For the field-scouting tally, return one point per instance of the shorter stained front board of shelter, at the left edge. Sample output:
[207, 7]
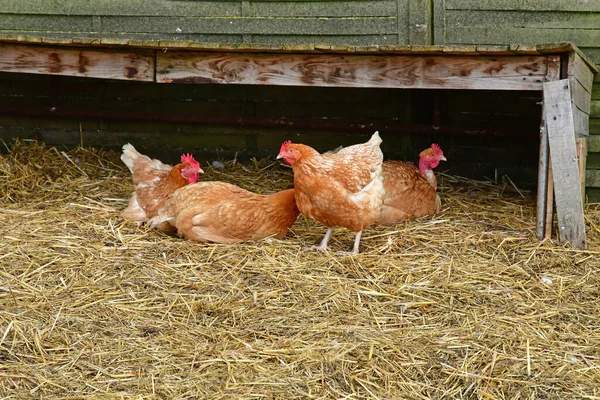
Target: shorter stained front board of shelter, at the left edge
[137, 66]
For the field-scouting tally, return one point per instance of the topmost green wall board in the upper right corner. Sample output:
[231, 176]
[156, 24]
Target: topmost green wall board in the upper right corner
[525, 5]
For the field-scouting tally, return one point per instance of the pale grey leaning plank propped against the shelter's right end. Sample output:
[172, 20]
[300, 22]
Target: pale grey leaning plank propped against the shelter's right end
[561, 135]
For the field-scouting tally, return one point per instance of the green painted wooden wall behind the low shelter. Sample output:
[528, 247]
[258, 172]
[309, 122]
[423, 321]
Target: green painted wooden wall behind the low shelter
[354, 22]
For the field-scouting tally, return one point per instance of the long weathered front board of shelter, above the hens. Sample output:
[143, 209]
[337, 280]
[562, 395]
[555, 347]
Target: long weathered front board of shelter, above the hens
[440, 72]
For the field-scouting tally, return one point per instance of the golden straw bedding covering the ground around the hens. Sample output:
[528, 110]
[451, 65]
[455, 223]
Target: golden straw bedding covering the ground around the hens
[465, 305]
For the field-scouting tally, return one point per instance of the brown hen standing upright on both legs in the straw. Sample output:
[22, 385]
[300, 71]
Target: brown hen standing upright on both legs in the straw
[343, 189]
